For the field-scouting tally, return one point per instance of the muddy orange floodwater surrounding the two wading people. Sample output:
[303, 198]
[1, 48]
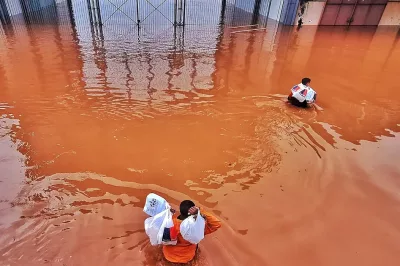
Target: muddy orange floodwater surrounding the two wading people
[91, 123]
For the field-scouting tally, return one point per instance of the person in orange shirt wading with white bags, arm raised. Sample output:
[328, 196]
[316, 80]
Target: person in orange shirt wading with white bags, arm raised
[184, 251]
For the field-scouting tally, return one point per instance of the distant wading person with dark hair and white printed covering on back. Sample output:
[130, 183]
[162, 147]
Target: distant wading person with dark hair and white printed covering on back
[301, 95]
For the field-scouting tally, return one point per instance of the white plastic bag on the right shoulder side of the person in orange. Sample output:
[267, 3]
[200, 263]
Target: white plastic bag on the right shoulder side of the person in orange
[192, 228]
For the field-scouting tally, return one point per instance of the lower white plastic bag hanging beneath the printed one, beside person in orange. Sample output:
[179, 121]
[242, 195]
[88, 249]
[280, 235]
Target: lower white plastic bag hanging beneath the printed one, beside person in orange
[155, 226]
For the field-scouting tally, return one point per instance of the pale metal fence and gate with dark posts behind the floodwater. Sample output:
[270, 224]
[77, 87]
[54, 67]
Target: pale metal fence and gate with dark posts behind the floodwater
[136, 12]
